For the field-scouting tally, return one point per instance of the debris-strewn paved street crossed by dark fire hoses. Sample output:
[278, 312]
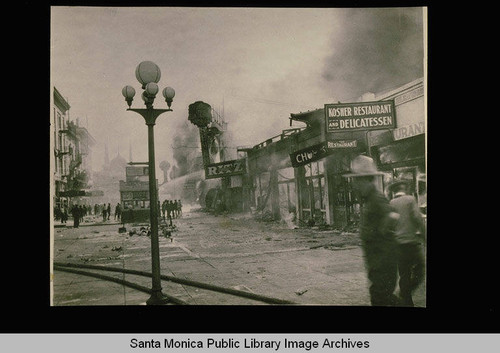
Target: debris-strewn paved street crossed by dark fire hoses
[305, 266]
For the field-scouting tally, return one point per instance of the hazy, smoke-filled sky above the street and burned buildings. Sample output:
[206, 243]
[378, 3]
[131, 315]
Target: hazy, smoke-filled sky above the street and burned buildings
[256, 65]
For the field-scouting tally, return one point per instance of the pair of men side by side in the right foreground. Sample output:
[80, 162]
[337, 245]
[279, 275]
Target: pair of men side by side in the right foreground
[392, 234]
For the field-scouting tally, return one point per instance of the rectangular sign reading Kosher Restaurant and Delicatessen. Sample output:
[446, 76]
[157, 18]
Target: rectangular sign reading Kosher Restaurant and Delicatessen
[360, 116]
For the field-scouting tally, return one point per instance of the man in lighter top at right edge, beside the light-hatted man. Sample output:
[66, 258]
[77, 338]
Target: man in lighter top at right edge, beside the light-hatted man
[410, 235]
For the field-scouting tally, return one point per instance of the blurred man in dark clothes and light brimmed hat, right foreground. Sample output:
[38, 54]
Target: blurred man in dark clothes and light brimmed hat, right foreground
[376, 229]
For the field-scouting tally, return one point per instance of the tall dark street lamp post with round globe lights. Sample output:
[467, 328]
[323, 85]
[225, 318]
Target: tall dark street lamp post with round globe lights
[148, 74]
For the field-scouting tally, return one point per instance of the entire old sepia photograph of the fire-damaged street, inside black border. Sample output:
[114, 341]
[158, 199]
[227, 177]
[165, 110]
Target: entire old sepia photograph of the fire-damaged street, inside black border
[238, 156]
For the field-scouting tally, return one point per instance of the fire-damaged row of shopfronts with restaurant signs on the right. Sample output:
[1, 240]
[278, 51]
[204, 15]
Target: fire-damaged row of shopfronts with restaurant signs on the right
[297, 176]
